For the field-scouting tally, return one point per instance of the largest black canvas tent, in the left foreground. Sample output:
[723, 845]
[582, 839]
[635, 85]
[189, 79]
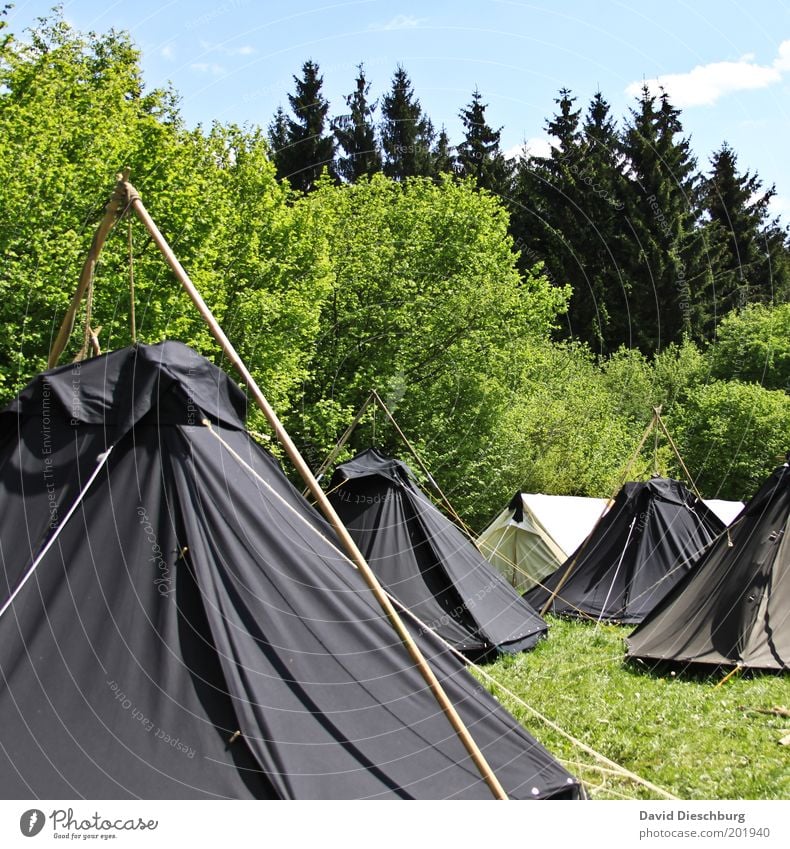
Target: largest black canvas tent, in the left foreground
[179, 623]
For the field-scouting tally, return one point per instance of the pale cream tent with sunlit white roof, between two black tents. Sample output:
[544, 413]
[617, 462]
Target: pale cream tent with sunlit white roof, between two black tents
[536, 533]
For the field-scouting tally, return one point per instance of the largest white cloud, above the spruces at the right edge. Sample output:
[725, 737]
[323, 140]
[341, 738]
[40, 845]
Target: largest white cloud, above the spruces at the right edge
[705, 84]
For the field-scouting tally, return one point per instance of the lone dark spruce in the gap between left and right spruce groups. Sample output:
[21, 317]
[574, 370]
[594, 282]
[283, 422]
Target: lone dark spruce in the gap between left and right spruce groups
[479, 155]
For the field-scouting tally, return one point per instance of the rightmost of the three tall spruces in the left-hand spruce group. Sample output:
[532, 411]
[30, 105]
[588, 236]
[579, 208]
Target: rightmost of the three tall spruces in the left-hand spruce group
[406, 133]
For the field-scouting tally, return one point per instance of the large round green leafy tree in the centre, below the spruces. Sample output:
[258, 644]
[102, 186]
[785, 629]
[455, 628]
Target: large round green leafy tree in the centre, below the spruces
[426, 304]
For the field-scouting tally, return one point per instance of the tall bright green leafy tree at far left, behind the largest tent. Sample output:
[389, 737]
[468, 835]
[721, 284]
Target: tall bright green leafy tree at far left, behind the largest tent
[63, 96]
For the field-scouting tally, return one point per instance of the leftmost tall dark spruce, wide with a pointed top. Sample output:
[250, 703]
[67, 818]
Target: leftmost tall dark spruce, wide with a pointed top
[307, 150]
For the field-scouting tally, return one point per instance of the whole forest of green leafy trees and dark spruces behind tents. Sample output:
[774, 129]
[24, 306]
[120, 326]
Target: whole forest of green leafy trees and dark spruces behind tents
[521, 317]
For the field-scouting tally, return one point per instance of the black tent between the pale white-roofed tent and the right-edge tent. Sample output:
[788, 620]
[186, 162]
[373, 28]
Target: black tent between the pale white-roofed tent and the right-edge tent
[649, 539]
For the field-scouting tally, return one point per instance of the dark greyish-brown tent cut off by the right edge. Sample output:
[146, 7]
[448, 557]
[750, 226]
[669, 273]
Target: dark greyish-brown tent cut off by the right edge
[734, 609]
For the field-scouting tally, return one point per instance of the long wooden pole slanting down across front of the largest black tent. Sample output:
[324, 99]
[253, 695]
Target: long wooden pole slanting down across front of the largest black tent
[323, 502]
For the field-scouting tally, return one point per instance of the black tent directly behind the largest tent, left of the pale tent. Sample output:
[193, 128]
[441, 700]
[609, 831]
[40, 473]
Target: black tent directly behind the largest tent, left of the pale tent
[426, 562]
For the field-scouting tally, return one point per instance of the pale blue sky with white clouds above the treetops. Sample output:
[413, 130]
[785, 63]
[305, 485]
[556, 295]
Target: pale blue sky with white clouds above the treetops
[726, 64]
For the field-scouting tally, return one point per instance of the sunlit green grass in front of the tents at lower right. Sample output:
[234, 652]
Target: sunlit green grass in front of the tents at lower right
[680, 732]
